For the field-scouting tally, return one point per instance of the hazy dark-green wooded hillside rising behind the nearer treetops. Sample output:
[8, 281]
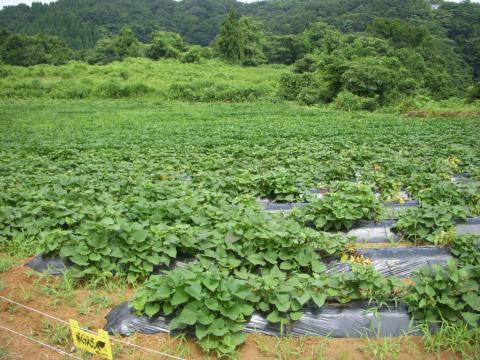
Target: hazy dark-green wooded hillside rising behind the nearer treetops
[82, 23]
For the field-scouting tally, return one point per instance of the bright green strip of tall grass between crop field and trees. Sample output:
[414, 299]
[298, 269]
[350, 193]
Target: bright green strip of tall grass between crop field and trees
[141, 78]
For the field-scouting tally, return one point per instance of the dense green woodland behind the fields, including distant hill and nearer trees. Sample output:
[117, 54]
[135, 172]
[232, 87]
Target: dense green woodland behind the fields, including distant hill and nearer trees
[361, 54]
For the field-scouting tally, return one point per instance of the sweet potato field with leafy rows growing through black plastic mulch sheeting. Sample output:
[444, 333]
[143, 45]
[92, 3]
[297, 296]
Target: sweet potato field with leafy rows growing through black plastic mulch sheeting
[228, 219]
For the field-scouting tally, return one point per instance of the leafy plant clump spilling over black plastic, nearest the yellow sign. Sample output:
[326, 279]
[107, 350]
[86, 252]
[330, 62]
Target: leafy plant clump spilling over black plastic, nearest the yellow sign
[211, 302]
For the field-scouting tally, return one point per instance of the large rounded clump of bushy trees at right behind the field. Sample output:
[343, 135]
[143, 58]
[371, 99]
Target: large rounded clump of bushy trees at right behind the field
[365, 72]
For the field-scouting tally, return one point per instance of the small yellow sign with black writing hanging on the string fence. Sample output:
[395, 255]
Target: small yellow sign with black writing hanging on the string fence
[92, 343]
